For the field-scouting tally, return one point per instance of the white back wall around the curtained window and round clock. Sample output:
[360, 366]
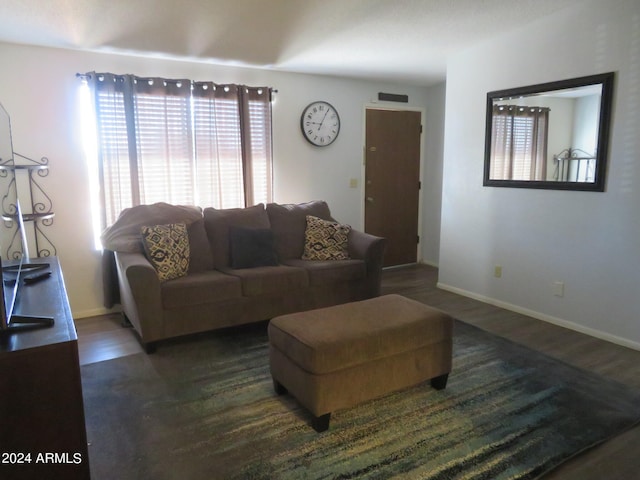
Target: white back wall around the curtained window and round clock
[38, 88]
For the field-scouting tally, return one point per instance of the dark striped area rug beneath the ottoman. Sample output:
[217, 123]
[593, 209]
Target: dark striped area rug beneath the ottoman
[204, 408]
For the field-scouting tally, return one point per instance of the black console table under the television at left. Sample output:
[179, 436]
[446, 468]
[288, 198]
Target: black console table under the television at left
[42, 427]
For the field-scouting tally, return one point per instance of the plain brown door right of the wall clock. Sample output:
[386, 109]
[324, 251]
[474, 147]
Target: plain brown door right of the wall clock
[392, 181]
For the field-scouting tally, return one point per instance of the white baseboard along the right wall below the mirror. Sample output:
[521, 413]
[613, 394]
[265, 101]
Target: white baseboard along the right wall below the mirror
[544, 317]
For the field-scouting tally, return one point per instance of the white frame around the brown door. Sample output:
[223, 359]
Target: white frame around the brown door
[363, 165]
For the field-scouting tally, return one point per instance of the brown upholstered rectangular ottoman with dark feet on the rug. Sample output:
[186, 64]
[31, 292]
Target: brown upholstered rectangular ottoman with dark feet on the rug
[340, 356]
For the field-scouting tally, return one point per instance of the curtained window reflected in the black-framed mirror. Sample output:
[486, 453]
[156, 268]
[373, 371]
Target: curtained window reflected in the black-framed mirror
[519, 148]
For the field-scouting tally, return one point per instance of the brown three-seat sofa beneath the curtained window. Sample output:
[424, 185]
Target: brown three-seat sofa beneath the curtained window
[213, 294]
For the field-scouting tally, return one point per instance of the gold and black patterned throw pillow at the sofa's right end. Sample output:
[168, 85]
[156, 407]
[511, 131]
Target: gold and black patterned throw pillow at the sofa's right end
[325, 240]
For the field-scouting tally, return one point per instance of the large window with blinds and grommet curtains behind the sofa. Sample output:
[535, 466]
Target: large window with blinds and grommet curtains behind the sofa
[180, 142]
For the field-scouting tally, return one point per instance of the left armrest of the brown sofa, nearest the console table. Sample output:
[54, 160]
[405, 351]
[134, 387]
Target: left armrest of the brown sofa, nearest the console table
[140, 295]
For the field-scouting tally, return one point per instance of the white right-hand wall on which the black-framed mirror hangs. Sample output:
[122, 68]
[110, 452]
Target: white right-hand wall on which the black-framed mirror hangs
[591, 242]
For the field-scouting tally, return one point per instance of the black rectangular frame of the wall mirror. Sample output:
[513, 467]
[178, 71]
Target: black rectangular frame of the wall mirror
[606, 106]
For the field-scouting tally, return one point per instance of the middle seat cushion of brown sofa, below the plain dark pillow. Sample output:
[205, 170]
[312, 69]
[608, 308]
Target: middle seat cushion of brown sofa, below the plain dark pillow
[270, 280]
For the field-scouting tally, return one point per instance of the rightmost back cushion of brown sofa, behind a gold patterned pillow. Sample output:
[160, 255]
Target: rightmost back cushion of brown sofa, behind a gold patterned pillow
[289, 222]
